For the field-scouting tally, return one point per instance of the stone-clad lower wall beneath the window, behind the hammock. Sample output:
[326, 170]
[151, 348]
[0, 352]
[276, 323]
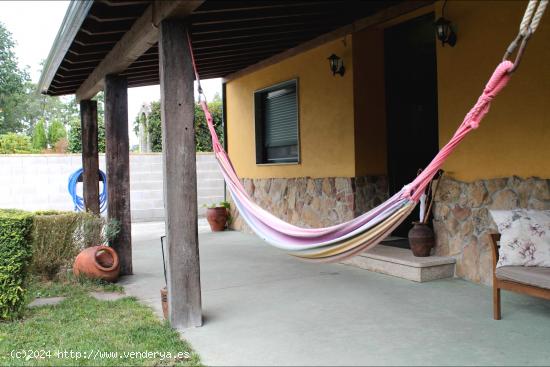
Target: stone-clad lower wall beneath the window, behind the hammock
[314, 202]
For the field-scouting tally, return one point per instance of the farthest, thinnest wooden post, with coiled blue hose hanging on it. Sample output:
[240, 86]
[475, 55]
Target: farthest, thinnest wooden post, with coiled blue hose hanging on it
[90, 159]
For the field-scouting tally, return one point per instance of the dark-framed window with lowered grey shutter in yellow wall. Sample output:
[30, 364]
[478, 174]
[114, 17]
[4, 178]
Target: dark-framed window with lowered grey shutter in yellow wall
[276, 110]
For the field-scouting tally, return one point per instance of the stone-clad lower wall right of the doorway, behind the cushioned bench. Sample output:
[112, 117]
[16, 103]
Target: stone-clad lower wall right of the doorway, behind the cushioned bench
[462, 220]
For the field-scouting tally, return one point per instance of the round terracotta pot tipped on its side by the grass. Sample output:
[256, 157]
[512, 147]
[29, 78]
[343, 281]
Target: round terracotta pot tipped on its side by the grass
[97, 262]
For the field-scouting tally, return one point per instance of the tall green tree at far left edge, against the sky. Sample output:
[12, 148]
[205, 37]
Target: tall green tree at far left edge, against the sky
[13, 86]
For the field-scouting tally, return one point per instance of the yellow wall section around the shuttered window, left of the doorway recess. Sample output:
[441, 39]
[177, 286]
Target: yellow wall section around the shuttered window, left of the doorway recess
[326, 115]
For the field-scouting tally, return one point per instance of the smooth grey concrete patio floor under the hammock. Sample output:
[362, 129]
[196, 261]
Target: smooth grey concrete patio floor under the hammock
[263, 307]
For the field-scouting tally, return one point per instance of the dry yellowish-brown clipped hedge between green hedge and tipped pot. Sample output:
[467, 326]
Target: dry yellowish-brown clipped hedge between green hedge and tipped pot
[54, 244]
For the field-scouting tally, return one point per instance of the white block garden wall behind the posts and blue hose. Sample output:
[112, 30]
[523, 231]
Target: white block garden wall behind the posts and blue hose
[39, 182]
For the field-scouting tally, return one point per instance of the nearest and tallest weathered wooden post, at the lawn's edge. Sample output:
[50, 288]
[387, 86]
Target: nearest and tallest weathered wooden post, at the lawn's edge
[180, 175]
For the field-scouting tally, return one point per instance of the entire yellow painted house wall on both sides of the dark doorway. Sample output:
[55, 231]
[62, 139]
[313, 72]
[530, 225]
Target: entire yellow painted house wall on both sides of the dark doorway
[342, 120]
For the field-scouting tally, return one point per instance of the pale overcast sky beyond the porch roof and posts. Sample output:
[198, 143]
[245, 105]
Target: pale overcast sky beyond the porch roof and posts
[34, 25]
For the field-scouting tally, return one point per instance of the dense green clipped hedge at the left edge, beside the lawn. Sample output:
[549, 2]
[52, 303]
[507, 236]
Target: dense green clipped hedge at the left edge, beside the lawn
[15, 253]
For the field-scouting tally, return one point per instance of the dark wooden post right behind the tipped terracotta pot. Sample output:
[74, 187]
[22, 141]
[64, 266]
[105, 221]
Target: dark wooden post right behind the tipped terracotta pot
[117, 157]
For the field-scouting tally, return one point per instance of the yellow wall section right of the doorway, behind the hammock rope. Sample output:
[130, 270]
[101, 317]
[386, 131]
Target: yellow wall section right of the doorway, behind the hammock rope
[514, 138]
